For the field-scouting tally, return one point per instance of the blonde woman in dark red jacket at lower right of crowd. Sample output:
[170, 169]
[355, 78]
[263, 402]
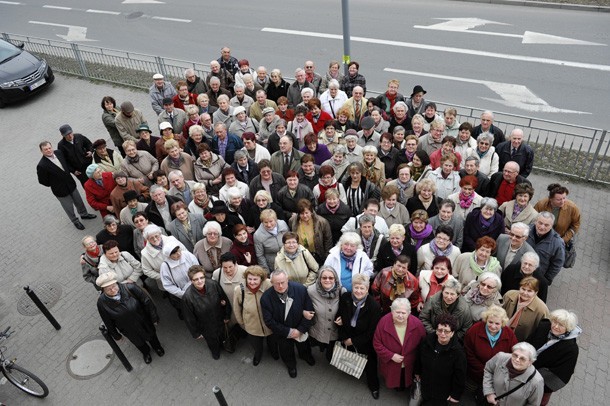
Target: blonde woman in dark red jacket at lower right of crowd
[483, 340]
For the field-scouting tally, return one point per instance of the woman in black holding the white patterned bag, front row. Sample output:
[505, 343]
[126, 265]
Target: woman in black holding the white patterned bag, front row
[357, 318]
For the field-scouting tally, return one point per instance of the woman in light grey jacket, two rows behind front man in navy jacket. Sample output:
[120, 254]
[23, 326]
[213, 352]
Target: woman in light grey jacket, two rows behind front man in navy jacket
[268, 238]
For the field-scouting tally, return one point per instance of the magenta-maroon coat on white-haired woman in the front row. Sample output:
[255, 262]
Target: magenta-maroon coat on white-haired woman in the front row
[387, 343]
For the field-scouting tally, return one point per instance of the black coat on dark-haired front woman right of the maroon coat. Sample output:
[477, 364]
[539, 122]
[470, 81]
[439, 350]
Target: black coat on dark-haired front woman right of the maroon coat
[442, 371]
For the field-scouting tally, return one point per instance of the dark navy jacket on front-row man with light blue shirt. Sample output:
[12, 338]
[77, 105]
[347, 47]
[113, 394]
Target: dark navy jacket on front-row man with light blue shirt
[274, 309]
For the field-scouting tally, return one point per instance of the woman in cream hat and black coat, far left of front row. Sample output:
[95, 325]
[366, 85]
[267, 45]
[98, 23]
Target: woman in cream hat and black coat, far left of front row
[127, 310]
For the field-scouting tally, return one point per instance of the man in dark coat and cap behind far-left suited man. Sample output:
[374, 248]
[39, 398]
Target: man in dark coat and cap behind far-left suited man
[78, 150]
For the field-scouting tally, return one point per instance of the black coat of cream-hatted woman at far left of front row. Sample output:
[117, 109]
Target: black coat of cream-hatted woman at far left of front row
[133, 315]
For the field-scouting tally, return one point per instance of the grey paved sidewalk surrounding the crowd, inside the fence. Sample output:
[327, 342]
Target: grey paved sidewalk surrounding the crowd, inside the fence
[39, 244]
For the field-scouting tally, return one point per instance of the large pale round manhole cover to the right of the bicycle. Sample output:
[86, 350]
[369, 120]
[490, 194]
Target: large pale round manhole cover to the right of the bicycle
[89, 358]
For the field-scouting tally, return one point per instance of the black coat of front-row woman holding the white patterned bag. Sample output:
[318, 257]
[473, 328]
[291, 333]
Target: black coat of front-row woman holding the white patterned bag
[362, 334]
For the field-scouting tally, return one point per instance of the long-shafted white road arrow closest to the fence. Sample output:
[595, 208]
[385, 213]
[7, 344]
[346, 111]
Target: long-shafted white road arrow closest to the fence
[512, 95]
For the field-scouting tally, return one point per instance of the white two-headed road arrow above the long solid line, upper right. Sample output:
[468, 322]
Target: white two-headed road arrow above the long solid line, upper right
[528, 37]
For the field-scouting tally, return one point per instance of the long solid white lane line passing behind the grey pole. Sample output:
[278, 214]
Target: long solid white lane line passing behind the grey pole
[461, 51]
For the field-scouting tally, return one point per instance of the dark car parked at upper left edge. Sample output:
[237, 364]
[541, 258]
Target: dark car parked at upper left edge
[21, 73]
